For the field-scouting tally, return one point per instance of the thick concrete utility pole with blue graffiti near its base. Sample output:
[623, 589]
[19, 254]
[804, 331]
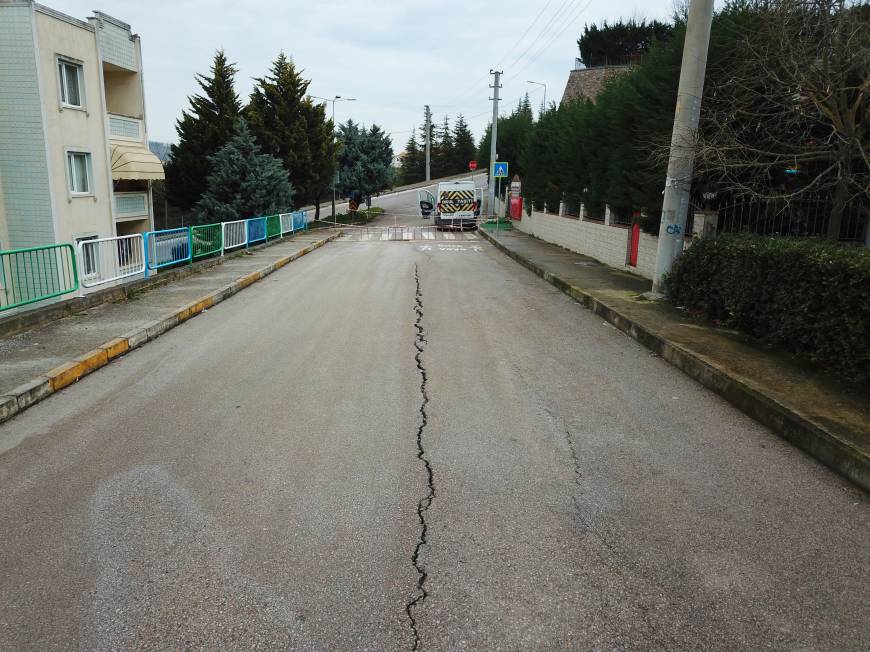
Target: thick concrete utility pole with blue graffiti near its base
[675, 205]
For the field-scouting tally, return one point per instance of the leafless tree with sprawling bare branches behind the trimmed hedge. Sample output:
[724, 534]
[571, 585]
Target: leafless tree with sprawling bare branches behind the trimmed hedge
[786, 110]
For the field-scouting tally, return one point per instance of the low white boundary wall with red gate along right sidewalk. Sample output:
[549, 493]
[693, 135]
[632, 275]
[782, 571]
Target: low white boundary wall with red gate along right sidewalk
[605, 243]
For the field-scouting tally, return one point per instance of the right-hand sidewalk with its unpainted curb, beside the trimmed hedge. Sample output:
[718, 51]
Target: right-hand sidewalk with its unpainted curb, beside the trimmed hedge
[814, 412]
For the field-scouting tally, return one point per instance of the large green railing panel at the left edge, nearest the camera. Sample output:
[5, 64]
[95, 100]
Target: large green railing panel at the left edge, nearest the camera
[36, 274]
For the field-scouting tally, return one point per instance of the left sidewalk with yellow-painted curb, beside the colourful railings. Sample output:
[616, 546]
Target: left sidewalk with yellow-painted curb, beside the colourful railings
[41, 360]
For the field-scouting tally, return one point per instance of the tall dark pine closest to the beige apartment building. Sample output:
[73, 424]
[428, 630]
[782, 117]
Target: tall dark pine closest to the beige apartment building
[202, 131]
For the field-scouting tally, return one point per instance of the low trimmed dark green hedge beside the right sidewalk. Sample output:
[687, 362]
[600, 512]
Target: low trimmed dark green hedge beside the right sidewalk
[809, 297]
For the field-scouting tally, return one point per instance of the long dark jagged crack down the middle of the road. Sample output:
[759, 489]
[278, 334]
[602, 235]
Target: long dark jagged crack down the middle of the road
[426, 501]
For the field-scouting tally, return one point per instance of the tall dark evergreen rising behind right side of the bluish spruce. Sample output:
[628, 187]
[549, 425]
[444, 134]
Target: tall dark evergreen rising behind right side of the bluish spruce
[277, 116]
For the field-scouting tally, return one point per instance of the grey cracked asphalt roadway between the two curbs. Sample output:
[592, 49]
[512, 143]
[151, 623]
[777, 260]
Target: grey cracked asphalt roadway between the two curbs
[390, 444]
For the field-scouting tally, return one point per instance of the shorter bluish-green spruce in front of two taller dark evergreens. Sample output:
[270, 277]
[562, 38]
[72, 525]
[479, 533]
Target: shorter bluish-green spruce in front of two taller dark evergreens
[244, 182]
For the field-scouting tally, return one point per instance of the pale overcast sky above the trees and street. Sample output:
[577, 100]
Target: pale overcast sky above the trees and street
[394, 57]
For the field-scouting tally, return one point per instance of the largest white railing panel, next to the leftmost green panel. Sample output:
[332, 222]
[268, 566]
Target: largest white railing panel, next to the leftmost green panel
[104, 260]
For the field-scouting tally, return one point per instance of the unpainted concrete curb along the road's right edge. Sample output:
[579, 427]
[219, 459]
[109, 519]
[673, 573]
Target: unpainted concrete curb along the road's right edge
[835, 451]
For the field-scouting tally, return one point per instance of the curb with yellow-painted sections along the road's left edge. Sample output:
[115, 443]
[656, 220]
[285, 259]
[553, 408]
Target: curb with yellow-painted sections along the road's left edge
[30, 393]
